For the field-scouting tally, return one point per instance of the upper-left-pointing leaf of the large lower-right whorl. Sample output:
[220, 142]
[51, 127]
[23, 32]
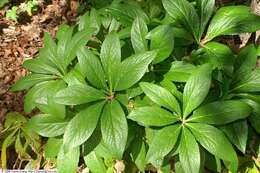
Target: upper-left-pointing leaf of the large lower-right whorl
[161, 96]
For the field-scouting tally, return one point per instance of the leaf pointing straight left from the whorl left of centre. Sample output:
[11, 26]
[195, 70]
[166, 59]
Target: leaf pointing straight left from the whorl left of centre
[78, 94]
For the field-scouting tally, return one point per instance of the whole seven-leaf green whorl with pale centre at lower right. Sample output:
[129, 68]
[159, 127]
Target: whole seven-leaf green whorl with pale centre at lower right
[192, 125]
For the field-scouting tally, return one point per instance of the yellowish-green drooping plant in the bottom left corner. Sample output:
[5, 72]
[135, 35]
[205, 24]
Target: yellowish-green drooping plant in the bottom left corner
[27, 144]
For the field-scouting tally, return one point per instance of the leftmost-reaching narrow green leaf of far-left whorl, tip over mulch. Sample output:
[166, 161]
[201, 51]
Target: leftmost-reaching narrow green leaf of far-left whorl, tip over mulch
[30, 80]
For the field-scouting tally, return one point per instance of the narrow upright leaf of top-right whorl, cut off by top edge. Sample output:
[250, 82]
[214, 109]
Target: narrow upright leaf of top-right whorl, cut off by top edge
[205, 9]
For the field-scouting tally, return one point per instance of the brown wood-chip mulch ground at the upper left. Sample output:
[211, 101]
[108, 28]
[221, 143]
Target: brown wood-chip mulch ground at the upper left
[21, 40]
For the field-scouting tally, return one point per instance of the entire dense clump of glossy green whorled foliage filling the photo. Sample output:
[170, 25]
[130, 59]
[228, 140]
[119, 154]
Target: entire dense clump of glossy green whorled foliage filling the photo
[153, 88]
